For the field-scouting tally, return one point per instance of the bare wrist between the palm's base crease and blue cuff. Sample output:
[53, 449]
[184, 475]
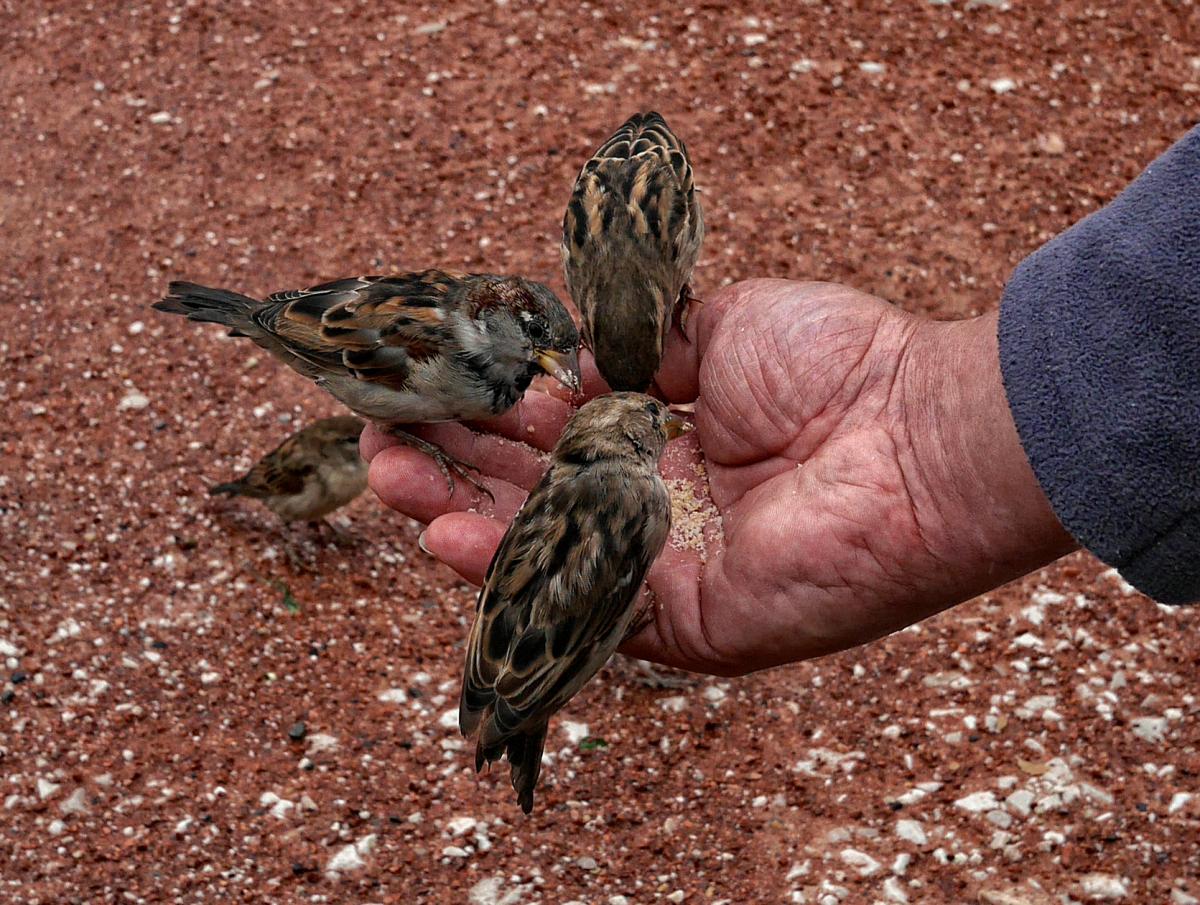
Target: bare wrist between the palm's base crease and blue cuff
[976, 500]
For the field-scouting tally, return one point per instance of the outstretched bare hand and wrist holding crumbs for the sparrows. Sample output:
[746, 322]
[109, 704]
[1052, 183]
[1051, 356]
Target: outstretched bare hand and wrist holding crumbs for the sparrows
[863, 474]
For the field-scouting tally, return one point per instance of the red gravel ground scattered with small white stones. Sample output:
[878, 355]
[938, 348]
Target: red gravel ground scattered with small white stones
[1037, 746]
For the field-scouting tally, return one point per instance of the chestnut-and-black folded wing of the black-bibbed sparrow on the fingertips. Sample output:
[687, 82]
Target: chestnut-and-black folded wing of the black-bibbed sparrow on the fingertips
[371, 328]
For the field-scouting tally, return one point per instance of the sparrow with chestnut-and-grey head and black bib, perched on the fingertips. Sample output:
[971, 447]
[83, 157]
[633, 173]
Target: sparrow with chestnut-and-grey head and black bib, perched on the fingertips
[411, 349]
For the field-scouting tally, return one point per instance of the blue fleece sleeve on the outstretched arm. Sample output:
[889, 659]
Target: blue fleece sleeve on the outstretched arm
[1100, 346]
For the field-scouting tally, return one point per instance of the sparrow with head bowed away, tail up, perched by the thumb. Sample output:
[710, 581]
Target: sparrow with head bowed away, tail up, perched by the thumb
[632, 236]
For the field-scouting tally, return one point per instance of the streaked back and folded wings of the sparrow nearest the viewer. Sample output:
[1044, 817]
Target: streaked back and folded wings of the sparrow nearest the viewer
[559, 594]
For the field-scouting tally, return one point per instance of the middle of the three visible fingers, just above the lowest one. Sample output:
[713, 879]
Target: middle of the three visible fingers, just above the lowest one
[411, 483]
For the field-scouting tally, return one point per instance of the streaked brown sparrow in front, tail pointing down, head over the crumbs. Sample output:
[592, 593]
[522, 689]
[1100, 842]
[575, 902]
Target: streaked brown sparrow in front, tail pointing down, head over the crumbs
[561, 591]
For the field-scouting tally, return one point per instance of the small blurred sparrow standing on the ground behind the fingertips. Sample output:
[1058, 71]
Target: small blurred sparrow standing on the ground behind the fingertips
[309, 476]
